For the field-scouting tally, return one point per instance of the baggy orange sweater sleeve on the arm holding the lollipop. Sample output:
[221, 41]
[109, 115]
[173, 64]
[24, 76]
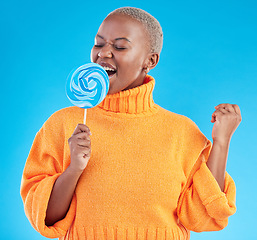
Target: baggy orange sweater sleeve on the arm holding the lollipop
[44, 165]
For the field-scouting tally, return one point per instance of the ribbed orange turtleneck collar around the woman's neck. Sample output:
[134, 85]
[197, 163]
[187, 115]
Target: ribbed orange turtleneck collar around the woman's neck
[133, 101]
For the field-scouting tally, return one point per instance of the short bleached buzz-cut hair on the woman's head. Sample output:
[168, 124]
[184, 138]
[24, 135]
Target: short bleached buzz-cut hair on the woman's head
[150, 23]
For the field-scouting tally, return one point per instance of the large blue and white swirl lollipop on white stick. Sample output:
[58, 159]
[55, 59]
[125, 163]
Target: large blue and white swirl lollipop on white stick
[87, 86]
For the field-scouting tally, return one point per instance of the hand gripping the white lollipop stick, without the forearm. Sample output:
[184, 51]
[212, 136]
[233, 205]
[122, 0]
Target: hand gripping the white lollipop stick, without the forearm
[80, 147]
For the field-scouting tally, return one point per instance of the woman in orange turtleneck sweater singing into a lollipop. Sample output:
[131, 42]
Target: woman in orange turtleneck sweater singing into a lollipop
[144, 172]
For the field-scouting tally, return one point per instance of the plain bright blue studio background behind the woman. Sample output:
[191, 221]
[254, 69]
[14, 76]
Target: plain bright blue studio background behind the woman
[209, 57]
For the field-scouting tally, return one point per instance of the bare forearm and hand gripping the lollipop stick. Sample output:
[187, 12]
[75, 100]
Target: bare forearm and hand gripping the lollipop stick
[65, 185]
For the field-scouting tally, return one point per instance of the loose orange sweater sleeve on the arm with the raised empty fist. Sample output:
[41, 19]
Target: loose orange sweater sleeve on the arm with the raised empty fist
[202, 205]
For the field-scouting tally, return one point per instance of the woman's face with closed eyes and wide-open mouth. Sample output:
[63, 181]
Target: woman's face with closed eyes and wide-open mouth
[121, 48]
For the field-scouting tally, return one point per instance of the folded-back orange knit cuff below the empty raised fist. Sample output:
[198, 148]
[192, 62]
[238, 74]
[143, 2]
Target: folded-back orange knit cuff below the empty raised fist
[219, 205]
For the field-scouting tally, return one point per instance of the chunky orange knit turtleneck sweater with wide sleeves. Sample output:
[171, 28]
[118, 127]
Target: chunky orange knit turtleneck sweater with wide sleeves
[146, 179]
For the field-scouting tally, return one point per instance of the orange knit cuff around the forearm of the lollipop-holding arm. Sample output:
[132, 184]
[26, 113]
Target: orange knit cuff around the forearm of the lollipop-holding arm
[38, 206]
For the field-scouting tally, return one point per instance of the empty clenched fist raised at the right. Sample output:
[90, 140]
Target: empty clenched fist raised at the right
[226, 119]
